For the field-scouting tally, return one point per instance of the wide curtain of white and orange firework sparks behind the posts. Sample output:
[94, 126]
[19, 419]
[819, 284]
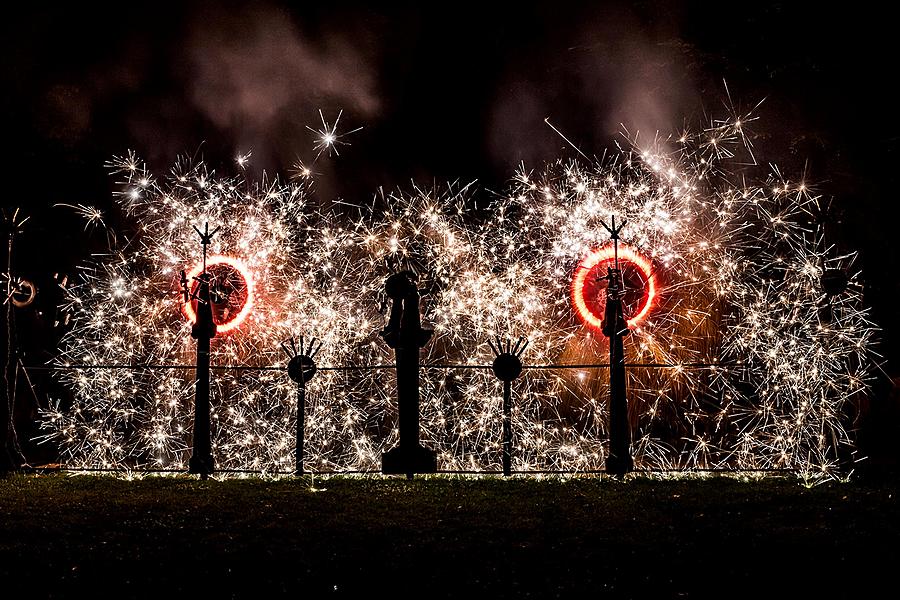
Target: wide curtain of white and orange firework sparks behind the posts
[749, 342]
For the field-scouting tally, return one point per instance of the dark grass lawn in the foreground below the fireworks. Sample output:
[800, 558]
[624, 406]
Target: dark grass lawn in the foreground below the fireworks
[444, 536]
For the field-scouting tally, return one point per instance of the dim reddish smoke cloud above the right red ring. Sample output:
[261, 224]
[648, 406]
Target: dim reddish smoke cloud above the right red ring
[613, 72]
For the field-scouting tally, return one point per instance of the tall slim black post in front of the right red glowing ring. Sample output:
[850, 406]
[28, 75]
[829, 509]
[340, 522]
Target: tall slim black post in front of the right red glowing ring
[615, 327]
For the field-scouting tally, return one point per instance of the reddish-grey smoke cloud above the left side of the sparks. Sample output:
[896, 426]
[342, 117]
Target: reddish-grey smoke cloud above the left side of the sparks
[254, 72]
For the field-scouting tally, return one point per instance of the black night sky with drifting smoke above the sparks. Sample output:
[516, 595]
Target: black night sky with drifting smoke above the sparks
[454, 92]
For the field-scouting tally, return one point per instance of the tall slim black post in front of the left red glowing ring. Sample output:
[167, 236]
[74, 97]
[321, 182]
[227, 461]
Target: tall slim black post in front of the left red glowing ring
[203, 330]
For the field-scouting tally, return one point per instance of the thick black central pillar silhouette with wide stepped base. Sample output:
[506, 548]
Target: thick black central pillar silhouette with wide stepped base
[405, 334]
